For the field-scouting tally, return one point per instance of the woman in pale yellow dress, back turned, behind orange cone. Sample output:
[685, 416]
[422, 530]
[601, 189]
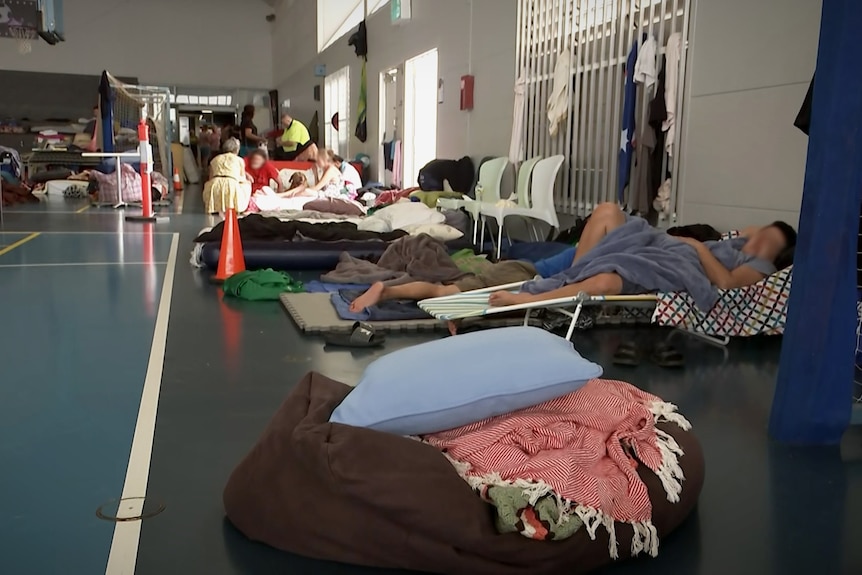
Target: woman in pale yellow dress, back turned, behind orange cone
[229, 187]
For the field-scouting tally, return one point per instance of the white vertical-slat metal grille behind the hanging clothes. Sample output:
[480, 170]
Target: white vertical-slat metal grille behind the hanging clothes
[598, 36]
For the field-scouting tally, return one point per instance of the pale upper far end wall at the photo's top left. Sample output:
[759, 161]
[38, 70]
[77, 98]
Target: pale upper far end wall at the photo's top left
[165, 42]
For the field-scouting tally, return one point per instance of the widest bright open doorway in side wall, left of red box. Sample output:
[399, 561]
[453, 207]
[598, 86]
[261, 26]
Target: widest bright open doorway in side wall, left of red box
[420, 114]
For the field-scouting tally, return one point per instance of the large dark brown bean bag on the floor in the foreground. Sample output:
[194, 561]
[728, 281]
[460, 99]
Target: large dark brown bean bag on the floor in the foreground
[358, 496]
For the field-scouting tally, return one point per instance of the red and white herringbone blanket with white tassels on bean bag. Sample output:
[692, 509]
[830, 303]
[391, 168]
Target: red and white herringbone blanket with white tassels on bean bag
[583, 447]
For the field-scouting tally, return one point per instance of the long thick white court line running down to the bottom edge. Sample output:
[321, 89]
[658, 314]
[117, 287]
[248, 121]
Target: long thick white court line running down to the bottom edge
[124, 546]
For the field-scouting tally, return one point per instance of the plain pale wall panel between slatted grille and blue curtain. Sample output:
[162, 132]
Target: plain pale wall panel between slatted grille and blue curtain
[743, 162]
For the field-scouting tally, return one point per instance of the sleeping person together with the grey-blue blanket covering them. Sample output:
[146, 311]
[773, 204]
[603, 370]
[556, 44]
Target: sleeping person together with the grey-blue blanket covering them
[620, 254]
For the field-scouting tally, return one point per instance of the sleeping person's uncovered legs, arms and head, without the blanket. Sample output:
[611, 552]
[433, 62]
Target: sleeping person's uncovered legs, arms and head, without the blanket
[726, 264]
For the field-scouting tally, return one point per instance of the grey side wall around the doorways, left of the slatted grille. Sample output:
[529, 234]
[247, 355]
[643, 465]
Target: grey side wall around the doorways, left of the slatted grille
[442, 24]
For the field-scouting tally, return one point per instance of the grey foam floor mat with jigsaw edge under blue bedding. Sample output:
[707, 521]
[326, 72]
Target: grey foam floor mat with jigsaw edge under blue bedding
[313, 314]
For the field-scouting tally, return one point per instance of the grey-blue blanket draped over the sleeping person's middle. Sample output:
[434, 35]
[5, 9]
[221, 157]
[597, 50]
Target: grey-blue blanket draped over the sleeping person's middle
[641, 255]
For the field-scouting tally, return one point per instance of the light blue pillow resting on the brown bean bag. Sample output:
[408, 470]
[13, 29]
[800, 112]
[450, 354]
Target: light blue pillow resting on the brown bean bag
[458, 380]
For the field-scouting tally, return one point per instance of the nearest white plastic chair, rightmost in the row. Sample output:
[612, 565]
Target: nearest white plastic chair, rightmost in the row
[541, 202]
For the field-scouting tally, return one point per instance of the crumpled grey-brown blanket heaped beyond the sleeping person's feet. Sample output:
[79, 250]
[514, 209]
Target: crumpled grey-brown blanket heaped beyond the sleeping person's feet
[411, 258]
